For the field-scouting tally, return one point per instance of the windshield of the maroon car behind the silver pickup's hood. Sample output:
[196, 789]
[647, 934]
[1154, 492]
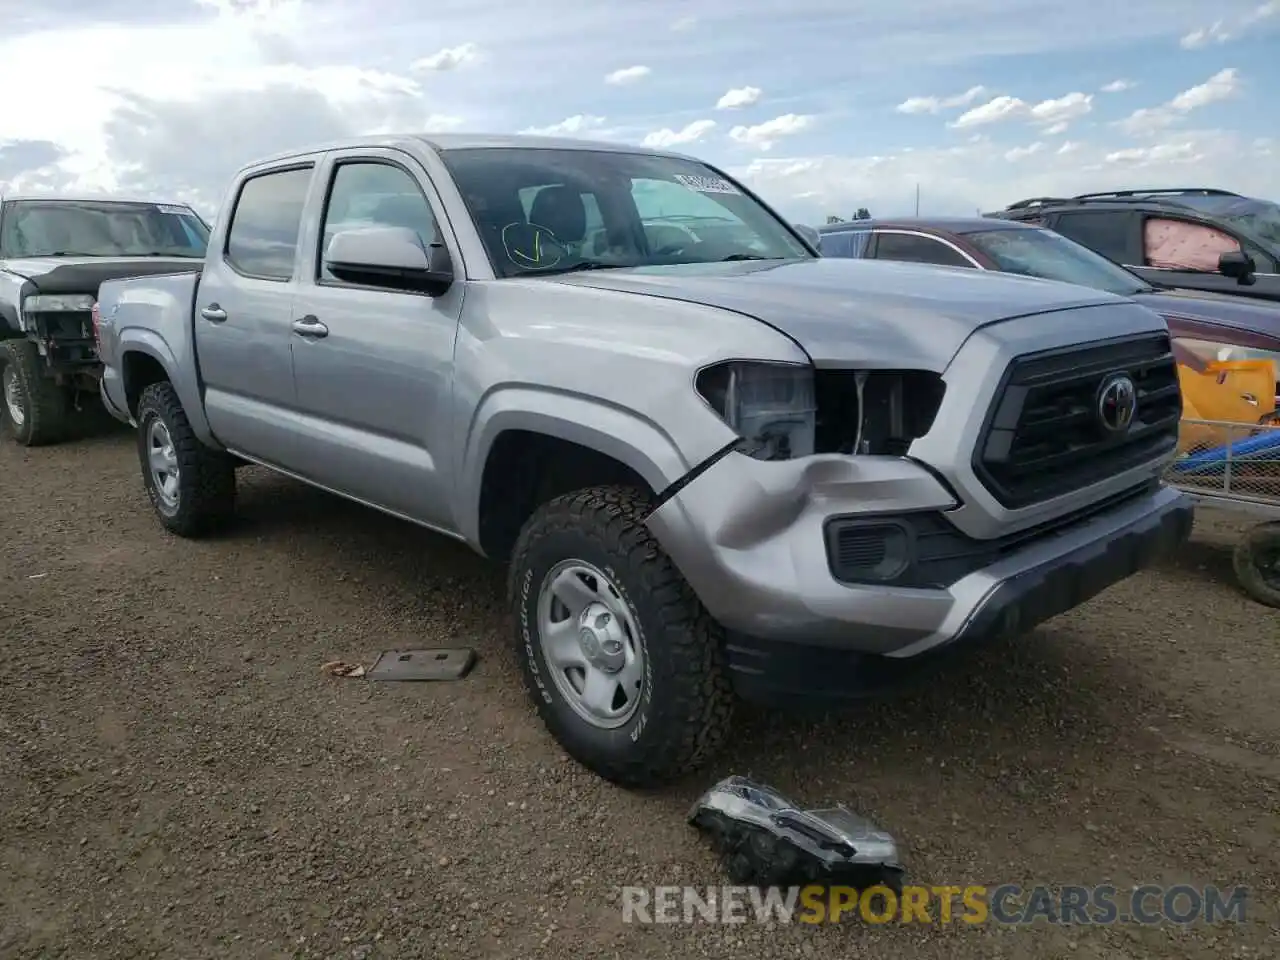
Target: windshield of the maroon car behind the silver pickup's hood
[1052, 257]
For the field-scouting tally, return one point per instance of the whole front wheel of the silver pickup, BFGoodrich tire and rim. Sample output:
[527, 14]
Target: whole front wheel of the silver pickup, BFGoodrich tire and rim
[625, 666]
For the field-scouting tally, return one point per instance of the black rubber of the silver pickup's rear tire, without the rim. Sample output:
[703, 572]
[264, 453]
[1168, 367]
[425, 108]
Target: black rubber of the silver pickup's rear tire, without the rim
[209, 502]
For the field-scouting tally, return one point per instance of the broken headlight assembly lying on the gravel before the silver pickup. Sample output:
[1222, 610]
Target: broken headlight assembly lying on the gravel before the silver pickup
[766, 840]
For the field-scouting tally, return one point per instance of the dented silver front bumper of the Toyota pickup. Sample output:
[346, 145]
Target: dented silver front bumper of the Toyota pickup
[755, 542]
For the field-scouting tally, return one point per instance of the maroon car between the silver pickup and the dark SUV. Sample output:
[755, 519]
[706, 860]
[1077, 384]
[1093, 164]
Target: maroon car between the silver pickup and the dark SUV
[1244, 327]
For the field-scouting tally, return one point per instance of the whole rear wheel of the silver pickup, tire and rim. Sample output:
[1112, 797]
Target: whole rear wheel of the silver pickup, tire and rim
[191, 487]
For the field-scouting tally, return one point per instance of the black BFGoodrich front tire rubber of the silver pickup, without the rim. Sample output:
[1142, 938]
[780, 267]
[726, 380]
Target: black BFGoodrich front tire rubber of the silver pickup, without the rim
[687, 702]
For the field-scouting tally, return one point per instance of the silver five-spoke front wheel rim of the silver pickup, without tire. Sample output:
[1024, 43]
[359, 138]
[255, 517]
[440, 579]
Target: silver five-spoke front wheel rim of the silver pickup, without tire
[591, 643]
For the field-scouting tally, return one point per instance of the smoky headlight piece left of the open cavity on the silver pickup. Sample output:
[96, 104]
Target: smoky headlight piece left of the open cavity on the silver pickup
[771, 406]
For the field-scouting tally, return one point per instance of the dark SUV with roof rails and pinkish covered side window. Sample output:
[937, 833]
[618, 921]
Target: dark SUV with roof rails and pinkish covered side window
[1199, 239]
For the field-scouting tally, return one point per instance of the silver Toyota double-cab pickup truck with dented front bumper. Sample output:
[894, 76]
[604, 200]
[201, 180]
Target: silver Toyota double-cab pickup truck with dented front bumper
[715, 463]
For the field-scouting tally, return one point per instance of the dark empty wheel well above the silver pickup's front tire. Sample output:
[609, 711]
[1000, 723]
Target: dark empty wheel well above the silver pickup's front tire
[525, 470]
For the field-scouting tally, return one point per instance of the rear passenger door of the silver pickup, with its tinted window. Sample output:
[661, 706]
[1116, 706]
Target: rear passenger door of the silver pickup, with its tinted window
[244, 316]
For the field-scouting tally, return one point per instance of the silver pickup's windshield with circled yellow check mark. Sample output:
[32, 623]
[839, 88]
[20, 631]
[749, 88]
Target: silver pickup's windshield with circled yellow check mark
[556, 211]
